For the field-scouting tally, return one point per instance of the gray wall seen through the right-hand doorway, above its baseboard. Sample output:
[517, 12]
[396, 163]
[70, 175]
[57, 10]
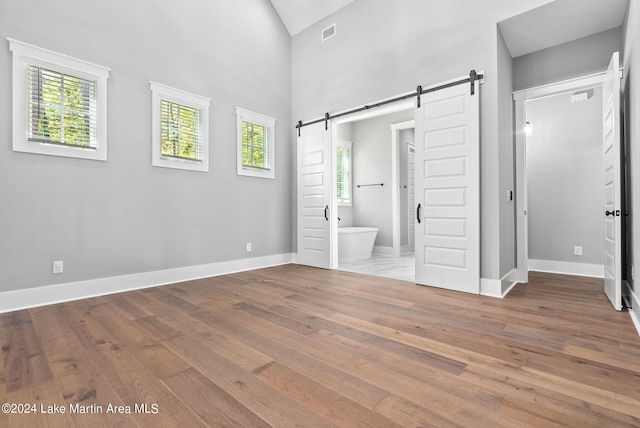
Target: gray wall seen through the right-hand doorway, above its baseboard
[564, 178]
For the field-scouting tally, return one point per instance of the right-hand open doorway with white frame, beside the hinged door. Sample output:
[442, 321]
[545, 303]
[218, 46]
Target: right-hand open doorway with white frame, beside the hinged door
[560, 180]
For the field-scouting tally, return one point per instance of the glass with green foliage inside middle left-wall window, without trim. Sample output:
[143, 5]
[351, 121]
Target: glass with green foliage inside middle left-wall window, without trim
[179, 131]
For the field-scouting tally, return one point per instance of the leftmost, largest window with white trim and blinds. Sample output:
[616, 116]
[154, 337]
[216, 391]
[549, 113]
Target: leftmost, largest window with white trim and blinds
[59, 104]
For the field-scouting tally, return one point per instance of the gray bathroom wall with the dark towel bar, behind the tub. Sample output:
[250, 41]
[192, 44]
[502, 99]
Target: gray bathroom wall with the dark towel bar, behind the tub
[372, 206]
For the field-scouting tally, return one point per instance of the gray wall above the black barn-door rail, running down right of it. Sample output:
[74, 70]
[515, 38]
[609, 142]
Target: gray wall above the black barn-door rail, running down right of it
[385, 48]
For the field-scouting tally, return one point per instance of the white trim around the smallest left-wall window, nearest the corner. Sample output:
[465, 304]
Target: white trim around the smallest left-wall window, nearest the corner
[244, 115]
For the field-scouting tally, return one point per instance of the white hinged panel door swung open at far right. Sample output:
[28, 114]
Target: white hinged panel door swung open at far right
[612, 184]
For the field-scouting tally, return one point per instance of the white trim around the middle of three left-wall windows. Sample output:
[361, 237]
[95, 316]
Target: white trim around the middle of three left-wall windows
[163, 92]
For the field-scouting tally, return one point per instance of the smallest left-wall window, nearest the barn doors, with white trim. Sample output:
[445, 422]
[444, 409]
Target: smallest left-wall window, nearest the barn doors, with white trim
[255, 141]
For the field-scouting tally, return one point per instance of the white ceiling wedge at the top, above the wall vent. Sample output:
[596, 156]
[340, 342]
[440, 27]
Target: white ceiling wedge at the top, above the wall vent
[298, 15]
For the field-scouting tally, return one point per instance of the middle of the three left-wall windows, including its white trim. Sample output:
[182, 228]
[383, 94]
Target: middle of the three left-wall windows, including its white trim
[180, 134]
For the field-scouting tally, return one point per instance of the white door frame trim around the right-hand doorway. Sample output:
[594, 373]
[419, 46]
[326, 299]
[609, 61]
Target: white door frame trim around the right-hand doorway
[520, 100]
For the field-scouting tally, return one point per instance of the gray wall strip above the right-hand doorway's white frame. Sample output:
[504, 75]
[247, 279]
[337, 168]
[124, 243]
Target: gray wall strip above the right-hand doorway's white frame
[578, 58]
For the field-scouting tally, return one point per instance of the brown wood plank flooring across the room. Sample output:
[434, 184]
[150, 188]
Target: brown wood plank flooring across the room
[296, 346]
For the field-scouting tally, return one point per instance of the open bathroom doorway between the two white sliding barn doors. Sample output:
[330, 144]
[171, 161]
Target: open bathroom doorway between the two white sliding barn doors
[379, 193]
